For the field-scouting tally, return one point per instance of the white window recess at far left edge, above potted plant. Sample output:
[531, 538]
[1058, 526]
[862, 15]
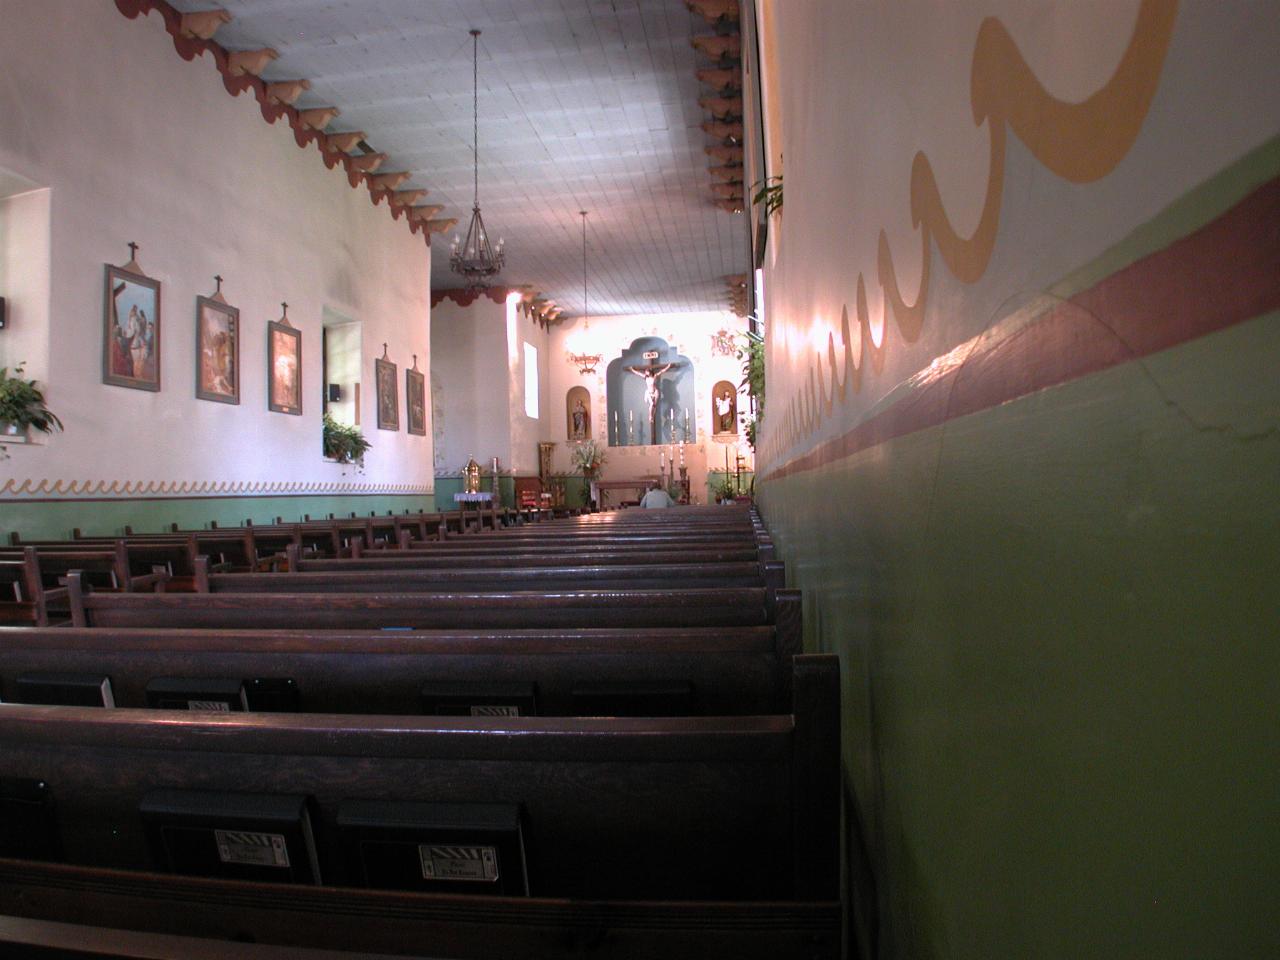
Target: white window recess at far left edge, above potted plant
[25, 282]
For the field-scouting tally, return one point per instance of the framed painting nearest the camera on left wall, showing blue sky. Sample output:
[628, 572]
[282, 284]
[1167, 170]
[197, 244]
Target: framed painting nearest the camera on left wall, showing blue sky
[131, 331]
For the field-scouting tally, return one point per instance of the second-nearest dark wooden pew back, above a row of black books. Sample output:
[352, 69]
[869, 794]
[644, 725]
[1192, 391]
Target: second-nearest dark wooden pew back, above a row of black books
[728, 670]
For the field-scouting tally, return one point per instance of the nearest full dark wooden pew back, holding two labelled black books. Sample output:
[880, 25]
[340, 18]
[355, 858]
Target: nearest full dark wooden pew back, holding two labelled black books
[647, 838]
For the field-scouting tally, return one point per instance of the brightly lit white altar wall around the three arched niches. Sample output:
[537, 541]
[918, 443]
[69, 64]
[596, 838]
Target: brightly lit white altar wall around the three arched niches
[692, 335]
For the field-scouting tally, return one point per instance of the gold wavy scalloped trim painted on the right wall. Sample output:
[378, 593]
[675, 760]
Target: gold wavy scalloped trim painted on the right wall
[1078, 143]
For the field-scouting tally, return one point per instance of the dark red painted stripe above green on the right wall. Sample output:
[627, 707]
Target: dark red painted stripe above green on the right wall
[1223, 275]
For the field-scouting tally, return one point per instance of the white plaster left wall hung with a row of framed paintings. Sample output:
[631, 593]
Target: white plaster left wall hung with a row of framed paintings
[136, 144]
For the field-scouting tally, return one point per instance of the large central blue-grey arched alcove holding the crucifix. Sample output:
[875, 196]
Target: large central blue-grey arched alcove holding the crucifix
[628, 387]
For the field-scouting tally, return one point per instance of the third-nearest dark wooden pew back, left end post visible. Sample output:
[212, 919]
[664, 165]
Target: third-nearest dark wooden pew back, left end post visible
[426, 611]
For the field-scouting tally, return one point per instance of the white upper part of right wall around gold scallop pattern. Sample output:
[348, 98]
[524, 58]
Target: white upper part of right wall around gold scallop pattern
[849, 172]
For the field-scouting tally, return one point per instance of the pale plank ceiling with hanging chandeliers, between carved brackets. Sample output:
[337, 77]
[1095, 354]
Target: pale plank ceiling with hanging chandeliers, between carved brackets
[584, 104]
